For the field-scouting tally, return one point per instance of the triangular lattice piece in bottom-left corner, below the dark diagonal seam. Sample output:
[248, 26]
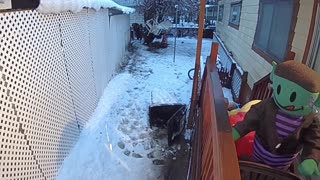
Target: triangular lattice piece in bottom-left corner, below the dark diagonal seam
[16, 159]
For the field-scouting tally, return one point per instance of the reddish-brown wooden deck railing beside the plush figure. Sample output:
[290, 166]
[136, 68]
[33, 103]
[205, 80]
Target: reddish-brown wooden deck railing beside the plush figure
[213, 149]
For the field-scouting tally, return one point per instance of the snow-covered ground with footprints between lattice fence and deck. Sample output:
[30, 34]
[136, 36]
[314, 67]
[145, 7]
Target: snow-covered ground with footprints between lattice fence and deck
[117, 142]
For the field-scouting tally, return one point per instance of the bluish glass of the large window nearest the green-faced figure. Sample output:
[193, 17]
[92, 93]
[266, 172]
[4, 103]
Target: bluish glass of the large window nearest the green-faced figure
[273, 29]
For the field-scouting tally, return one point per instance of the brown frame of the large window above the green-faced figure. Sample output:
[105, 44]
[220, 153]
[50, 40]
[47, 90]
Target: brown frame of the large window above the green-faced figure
[289, 54]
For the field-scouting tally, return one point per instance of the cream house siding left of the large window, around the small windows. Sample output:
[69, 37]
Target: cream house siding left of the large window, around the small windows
[240, 41]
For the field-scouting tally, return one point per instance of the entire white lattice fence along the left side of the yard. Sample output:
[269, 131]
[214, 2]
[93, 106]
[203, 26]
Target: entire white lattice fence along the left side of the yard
[53, 69]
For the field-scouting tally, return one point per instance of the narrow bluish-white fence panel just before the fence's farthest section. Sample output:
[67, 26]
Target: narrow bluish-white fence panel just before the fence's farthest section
[98, 30]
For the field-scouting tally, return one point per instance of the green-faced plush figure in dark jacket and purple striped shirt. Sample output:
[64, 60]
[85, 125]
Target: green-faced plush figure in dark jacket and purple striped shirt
[288, 123]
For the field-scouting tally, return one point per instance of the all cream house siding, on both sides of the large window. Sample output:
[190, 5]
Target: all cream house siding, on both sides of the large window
[240, 41]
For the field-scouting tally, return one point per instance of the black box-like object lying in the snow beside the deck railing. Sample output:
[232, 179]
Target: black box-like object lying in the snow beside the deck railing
[170, 116]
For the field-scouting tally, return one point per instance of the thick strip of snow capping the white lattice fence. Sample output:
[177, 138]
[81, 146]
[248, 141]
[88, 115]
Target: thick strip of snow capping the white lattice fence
[58, 6]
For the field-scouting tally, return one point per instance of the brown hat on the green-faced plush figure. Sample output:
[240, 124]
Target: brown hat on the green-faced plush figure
[300, 74]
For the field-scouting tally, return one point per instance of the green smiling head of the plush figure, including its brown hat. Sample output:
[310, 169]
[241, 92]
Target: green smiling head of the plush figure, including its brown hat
[295, 93]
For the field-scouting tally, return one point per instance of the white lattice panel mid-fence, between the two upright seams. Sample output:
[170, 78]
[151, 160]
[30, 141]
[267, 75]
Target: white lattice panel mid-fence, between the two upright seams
[76, 45]
